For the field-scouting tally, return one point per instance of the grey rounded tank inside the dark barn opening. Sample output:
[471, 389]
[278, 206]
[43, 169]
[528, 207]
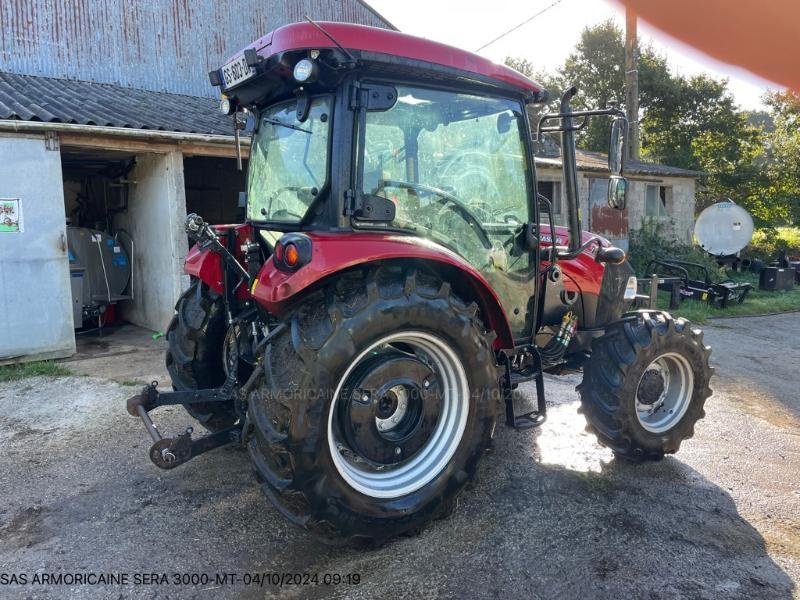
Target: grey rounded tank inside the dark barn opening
[100, 270]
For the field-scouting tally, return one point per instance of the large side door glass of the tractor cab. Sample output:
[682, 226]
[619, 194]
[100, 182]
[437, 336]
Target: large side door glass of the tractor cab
[454, 166]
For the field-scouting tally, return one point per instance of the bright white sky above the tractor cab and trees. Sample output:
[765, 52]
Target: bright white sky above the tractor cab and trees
[549, 38]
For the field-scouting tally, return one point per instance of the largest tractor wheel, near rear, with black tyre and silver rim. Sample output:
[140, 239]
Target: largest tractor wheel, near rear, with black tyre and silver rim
[379, 398]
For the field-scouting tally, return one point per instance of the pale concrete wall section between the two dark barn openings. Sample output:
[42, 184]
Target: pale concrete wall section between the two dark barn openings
[156, 210]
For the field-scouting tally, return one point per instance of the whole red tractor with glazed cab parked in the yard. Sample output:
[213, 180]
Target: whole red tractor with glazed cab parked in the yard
[397, 276]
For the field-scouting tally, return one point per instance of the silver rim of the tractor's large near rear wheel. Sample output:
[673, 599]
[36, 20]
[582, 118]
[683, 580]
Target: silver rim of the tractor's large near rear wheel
[428, 461]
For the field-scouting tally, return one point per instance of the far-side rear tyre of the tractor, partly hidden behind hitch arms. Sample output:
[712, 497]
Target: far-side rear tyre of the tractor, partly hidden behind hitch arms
[194, 357]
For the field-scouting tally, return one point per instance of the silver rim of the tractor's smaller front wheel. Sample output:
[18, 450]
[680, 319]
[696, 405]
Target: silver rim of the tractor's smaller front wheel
[664, 392]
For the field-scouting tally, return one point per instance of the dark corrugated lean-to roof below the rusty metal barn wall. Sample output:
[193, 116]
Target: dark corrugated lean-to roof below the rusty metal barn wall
[31, 98]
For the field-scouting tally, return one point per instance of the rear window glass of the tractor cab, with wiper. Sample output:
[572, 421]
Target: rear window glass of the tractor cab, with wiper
[288, 161]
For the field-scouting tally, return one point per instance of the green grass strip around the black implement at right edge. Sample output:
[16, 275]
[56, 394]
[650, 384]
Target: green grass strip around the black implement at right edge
[758, 302]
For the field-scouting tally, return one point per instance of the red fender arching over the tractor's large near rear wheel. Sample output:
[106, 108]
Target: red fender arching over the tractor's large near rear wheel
[332, 253]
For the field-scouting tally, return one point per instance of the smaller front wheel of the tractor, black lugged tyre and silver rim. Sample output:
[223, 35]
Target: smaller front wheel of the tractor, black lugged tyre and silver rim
[645, 385]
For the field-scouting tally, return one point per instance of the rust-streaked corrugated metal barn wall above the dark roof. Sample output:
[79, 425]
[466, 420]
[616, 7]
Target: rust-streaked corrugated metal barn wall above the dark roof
[159, 45]
